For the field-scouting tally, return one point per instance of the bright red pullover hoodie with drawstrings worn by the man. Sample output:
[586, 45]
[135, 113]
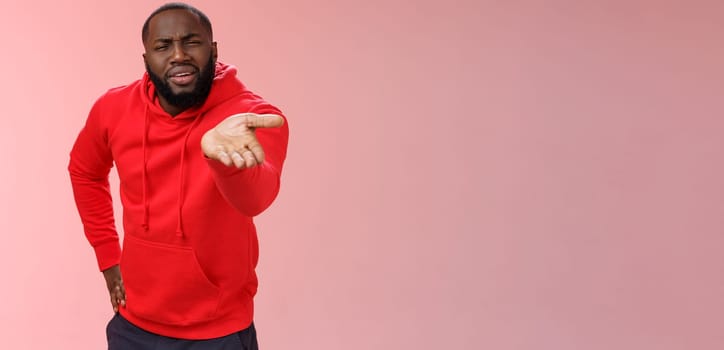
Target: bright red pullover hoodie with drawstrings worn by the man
[190, 245]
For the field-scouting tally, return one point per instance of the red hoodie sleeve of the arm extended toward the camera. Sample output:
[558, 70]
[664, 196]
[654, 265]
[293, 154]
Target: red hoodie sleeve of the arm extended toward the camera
[252, 190]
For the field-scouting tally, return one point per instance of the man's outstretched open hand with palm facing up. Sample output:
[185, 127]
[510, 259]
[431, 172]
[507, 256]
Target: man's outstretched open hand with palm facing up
[234, 142]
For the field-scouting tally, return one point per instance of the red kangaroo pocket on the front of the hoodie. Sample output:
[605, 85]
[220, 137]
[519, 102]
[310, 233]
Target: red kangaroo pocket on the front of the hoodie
[165, 284]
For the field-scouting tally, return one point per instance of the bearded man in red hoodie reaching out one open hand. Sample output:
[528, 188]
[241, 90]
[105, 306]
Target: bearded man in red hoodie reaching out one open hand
[198, 156]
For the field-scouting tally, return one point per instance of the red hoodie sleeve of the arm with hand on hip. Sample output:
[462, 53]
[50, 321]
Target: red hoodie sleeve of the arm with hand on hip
[90, 163]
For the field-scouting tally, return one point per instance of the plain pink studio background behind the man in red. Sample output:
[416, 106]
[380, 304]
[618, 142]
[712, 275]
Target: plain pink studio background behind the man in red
[461, 174]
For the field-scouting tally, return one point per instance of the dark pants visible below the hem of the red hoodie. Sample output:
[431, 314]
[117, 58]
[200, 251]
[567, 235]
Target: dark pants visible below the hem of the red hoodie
[122, 335]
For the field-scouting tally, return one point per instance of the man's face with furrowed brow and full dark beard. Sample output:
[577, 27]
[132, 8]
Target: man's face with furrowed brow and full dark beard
[180, 58]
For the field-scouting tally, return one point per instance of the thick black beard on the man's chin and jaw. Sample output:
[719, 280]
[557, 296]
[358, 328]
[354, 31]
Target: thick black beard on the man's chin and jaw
[186, 100]
